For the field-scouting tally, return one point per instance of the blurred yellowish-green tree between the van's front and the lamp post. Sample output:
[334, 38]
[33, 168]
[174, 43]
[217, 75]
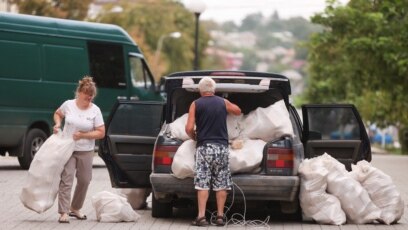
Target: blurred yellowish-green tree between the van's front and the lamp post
[148, 20]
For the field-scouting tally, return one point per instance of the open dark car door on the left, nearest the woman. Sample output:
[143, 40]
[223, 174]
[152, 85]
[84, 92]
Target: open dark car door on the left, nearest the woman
[127, 148]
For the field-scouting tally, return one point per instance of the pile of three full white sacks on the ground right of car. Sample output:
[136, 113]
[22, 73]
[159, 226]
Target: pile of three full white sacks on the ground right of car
[329, 194]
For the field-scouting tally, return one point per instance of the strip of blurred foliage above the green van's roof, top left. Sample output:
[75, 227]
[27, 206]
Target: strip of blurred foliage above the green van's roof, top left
[68, 9]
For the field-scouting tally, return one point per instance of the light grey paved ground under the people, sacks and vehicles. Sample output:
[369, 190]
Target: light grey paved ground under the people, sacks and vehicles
[15, 216]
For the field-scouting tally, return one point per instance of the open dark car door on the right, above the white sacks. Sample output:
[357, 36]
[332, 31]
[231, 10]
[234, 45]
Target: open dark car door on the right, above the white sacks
[337, 130]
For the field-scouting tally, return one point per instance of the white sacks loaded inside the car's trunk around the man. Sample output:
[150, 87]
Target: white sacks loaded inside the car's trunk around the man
[247, 134]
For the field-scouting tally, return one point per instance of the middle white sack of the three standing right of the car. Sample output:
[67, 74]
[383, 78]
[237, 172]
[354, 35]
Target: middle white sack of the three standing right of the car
[354, 199]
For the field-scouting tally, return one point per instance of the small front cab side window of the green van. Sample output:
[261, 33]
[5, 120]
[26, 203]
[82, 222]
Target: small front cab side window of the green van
[140, 76]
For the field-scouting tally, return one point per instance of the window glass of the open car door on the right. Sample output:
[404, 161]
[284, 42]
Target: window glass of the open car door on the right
[333, 124]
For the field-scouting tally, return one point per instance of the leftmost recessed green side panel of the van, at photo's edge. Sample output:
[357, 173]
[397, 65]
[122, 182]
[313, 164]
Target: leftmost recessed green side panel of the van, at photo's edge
[23, 58]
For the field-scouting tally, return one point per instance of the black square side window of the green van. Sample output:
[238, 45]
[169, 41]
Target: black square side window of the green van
[107, 64]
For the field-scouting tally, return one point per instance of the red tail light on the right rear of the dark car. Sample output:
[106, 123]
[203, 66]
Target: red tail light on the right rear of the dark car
[279, 159]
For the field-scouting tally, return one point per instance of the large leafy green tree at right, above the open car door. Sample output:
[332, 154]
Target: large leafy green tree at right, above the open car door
[361, 57]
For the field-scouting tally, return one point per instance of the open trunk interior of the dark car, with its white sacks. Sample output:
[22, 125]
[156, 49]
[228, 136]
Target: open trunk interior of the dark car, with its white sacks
[248, 133]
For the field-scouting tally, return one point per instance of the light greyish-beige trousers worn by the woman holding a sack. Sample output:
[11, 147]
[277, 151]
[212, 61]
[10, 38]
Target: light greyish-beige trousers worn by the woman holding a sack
[81, 163]
